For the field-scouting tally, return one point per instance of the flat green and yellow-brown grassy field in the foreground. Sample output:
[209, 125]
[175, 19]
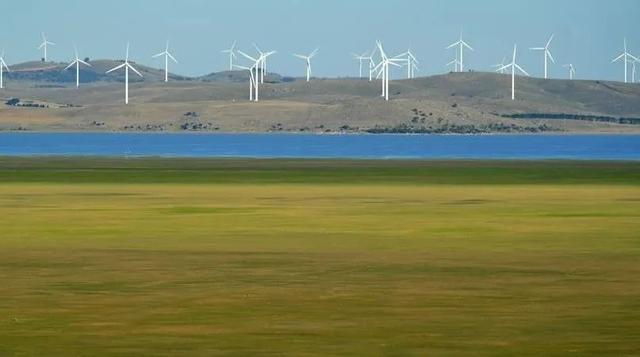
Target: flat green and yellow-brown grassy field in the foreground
[235, 257]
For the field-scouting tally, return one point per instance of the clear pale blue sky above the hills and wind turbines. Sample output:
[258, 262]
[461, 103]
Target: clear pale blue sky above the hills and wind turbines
[588, 33]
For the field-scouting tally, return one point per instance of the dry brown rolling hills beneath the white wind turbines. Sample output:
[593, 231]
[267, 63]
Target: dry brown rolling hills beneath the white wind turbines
[471, 102]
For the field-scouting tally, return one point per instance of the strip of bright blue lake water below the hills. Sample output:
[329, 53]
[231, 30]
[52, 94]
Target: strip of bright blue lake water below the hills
[580, 147]
